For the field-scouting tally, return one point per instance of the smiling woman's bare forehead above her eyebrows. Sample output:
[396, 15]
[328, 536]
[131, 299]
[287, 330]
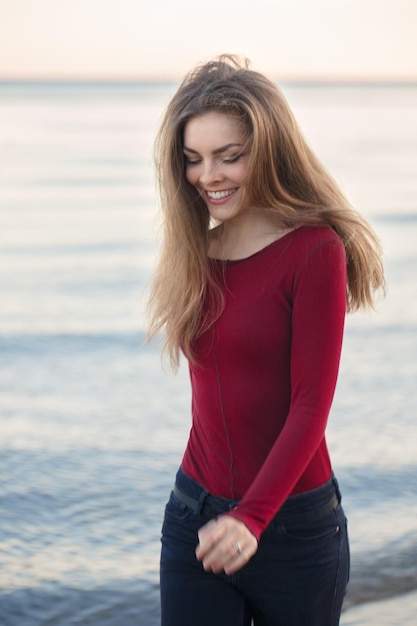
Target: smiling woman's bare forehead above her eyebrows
[213, 126]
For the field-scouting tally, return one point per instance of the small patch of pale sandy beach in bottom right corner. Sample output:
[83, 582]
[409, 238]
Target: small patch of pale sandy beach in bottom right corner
[391, 612]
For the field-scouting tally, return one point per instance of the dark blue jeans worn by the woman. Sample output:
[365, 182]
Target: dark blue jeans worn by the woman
[298, 576]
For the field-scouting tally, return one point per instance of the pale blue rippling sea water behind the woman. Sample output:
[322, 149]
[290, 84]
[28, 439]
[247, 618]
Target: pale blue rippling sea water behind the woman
[92, 429]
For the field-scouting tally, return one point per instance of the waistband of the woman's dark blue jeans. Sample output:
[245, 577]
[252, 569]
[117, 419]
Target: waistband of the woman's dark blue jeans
[308, 506]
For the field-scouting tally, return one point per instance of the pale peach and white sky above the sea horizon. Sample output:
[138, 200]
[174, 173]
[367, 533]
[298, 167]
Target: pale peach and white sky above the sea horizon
[162, 39]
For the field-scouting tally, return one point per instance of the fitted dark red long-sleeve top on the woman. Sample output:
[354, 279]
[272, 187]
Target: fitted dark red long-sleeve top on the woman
[266, 375]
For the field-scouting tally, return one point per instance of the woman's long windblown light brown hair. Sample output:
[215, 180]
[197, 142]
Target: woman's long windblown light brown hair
[284, 176]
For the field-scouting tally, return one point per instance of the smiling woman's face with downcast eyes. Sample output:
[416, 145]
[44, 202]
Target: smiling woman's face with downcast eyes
[217, 159]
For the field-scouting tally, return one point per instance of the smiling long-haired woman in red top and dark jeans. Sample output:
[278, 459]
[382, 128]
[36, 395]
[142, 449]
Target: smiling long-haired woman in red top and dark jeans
[262, 256]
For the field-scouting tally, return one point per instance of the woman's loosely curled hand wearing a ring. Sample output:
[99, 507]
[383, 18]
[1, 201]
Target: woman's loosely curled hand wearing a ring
[226, 544]
